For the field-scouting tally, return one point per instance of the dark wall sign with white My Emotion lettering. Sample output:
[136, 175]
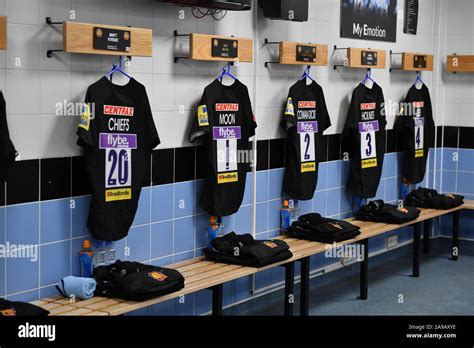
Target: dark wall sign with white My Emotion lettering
[369, 19]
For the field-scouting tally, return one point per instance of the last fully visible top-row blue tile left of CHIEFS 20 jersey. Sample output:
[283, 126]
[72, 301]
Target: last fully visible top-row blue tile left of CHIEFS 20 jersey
[55, 220]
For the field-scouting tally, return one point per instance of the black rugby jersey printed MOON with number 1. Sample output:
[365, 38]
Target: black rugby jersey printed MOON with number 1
[225, 121]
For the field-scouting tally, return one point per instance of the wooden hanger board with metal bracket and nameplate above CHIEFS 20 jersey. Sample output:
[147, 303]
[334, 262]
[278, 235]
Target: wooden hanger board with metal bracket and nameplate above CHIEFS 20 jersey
[88, 38]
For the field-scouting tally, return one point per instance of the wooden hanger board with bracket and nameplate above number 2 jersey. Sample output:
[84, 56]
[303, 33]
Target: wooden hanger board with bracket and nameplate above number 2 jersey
[297, 53]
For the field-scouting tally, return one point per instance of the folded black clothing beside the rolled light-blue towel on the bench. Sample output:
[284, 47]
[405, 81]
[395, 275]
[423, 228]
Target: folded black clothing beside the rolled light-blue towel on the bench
[136, 281]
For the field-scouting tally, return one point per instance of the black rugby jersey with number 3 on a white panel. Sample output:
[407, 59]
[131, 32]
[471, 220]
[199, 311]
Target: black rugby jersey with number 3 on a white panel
[365, 127]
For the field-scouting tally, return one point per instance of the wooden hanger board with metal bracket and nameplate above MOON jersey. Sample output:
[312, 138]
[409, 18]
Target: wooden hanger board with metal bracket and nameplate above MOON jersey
[217, 48]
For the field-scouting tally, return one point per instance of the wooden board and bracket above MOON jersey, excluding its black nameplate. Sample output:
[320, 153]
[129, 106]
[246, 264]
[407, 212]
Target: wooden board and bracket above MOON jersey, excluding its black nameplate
[200, 48]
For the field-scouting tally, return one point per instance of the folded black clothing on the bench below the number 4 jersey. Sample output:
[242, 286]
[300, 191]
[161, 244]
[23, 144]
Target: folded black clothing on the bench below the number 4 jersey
[429, 198]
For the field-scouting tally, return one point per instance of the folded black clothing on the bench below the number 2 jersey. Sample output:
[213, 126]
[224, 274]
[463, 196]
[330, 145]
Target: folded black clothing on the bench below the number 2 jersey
[316, 228]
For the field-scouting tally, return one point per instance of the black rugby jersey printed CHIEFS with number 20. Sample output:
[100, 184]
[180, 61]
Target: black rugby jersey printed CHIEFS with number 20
[117, 132]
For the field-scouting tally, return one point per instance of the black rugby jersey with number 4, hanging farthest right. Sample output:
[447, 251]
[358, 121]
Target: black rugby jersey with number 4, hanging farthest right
[416, 127]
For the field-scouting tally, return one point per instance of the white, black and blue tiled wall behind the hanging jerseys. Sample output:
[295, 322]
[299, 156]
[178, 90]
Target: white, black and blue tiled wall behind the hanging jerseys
[45, 201]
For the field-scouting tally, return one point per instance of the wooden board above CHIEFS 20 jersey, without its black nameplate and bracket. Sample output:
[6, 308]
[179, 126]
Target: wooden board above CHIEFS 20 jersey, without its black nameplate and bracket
[78, 38]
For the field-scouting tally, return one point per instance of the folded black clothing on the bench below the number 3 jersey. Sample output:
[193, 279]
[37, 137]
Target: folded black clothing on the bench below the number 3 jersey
[379, 211]
